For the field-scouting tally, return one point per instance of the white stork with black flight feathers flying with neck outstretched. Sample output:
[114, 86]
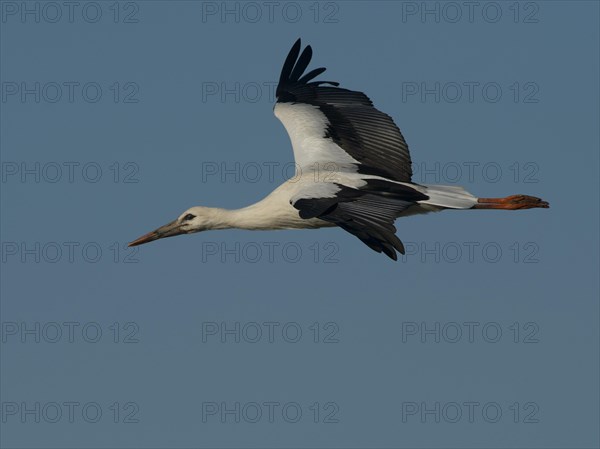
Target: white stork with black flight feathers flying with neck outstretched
[353, 170]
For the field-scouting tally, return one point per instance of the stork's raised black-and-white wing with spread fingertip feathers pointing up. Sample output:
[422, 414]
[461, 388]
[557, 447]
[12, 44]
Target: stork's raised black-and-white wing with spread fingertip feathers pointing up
[331, 125]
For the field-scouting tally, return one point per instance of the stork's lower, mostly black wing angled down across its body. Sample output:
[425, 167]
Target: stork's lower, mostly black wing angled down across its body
[367, 212]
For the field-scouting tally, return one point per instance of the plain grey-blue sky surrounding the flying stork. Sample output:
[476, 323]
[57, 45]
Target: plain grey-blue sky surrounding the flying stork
[117, 117]
